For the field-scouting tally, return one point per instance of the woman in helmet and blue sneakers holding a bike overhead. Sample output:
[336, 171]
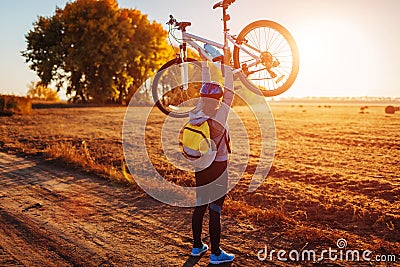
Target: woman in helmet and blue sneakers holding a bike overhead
[214, 106]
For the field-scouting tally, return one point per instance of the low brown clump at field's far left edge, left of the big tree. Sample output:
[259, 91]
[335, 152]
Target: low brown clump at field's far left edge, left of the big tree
[10, 105]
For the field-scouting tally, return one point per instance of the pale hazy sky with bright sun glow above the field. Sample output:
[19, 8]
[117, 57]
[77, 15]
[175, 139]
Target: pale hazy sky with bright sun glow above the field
[347, 47]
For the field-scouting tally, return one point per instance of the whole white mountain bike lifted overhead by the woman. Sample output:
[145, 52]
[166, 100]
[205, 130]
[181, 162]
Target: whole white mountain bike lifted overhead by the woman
[265, 59]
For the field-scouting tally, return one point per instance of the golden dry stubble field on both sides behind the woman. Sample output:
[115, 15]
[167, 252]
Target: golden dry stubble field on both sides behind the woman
[335, 174]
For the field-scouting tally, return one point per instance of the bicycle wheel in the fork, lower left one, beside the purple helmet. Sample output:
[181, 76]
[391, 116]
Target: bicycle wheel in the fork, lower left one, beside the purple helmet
[169, 92]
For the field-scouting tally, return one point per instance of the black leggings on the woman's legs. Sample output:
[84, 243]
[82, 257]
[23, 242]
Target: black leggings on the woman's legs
[215, 170]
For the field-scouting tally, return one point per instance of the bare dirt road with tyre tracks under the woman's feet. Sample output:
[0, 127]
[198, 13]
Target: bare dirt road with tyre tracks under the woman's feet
[52, 216]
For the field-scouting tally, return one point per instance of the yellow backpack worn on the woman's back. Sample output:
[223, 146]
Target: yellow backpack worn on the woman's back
[196, 141]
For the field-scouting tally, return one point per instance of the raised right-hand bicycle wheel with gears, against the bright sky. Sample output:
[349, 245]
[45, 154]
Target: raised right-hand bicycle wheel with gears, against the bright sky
[268, 56]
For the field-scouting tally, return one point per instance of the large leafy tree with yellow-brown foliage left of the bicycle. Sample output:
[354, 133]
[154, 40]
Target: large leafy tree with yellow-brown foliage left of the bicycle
[99, 52]
